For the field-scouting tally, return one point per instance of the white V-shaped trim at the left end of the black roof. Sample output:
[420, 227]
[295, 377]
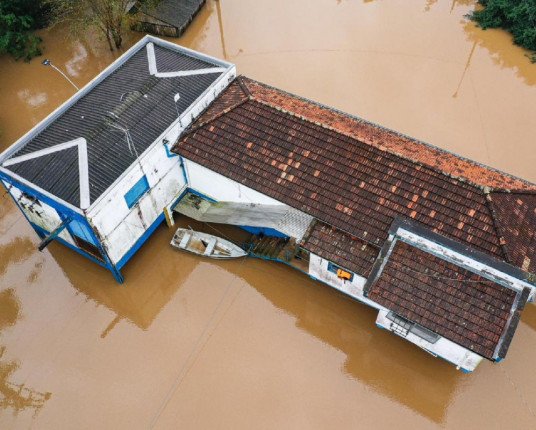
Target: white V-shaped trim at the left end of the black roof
[81, 143]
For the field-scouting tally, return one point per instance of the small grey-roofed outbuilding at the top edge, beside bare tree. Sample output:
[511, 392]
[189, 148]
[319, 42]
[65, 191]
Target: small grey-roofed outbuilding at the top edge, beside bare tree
[166, 18]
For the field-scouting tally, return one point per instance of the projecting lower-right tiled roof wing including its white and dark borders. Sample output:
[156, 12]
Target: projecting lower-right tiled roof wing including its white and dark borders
[441, 288]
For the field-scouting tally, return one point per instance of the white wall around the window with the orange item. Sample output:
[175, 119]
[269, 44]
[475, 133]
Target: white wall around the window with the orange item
[318, 269]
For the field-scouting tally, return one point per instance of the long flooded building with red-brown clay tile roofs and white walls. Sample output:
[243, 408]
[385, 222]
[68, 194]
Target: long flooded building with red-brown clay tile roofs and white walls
[379, 203]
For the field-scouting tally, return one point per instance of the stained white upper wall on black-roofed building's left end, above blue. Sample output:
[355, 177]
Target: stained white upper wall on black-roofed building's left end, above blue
[40, 214]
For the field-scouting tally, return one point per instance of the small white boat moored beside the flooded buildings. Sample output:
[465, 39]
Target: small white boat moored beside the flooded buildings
[205, 244]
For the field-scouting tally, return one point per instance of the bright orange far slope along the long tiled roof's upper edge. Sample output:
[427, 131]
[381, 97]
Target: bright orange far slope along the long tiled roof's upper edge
[531, 186]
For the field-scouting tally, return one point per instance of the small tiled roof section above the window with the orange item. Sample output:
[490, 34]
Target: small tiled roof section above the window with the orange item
[341, 248]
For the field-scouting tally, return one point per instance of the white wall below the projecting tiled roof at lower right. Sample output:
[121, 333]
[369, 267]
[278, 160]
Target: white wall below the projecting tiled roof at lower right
[444, 348]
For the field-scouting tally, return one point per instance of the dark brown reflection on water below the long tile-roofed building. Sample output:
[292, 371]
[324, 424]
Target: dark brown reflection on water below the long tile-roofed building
[386, 363]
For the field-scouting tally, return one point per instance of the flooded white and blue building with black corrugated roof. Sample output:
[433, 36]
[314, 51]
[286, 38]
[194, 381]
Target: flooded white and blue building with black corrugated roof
[97, 173]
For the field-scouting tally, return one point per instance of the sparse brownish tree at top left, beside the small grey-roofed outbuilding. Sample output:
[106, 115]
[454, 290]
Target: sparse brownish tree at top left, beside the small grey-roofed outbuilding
[110, 17]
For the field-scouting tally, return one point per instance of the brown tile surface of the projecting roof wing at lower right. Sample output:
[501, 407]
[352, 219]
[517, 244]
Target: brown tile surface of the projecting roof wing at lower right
[451, 301]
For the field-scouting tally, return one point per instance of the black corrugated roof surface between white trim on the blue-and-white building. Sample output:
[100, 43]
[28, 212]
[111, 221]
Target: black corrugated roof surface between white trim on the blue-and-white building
[143, 103]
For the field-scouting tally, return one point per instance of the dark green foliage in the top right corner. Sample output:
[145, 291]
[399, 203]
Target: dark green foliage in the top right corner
[516, 16]
